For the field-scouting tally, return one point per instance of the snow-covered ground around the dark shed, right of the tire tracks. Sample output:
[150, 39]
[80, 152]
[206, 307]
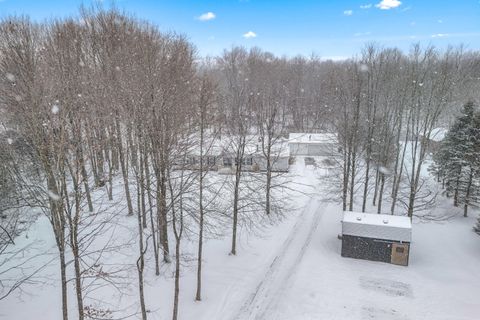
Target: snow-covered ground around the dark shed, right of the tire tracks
[439, 283]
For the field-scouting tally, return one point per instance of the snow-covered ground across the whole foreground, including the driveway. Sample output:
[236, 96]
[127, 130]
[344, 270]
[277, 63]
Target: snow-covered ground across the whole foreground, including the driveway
[292, 270]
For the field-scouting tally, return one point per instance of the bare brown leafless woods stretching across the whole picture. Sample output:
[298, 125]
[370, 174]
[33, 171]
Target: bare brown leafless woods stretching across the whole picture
[86, 101]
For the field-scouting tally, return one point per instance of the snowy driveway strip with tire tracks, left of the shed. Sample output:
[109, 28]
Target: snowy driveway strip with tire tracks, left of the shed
[268, 291]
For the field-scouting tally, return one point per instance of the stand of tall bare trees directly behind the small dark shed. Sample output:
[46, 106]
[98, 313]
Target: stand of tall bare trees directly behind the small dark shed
[390, 103]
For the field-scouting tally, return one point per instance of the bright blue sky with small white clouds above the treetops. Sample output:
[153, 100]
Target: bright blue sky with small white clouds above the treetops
[330, 29]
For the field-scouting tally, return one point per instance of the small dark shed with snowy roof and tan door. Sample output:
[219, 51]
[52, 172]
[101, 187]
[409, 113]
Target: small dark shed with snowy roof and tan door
[376, 237]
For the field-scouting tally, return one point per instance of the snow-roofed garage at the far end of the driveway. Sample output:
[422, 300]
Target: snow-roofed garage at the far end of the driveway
[313, 144]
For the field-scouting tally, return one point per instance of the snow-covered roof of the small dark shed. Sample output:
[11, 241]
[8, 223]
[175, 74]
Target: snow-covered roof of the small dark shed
[377, 226]
